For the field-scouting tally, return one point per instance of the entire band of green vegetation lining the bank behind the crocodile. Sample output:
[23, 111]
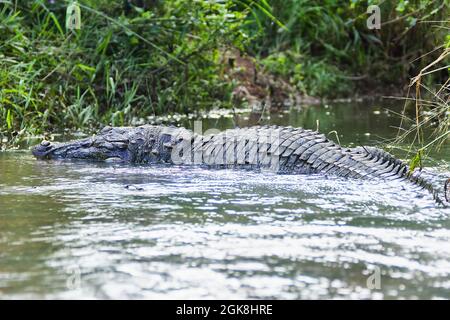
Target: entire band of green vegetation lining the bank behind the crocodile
[137, 58]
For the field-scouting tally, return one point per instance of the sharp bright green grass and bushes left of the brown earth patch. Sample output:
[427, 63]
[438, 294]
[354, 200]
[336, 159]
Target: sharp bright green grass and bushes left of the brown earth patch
[117, 66]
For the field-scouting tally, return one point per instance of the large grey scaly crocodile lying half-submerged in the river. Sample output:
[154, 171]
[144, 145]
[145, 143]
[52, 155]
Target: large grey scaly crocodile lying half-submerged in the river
[286, 150]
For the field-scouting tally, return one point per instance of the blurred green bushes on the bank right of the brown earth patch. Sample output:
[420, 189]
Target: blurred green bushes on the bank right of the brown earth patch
[339, 54]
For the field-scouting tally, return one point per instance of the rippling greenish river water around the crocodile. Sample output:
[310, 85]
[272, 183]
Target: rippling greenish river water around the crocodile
[93, 230]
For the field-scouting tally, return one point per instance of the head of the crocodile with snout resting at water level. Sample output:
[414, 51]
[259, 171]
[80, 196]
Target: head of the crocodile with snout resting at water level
[109, 144]
